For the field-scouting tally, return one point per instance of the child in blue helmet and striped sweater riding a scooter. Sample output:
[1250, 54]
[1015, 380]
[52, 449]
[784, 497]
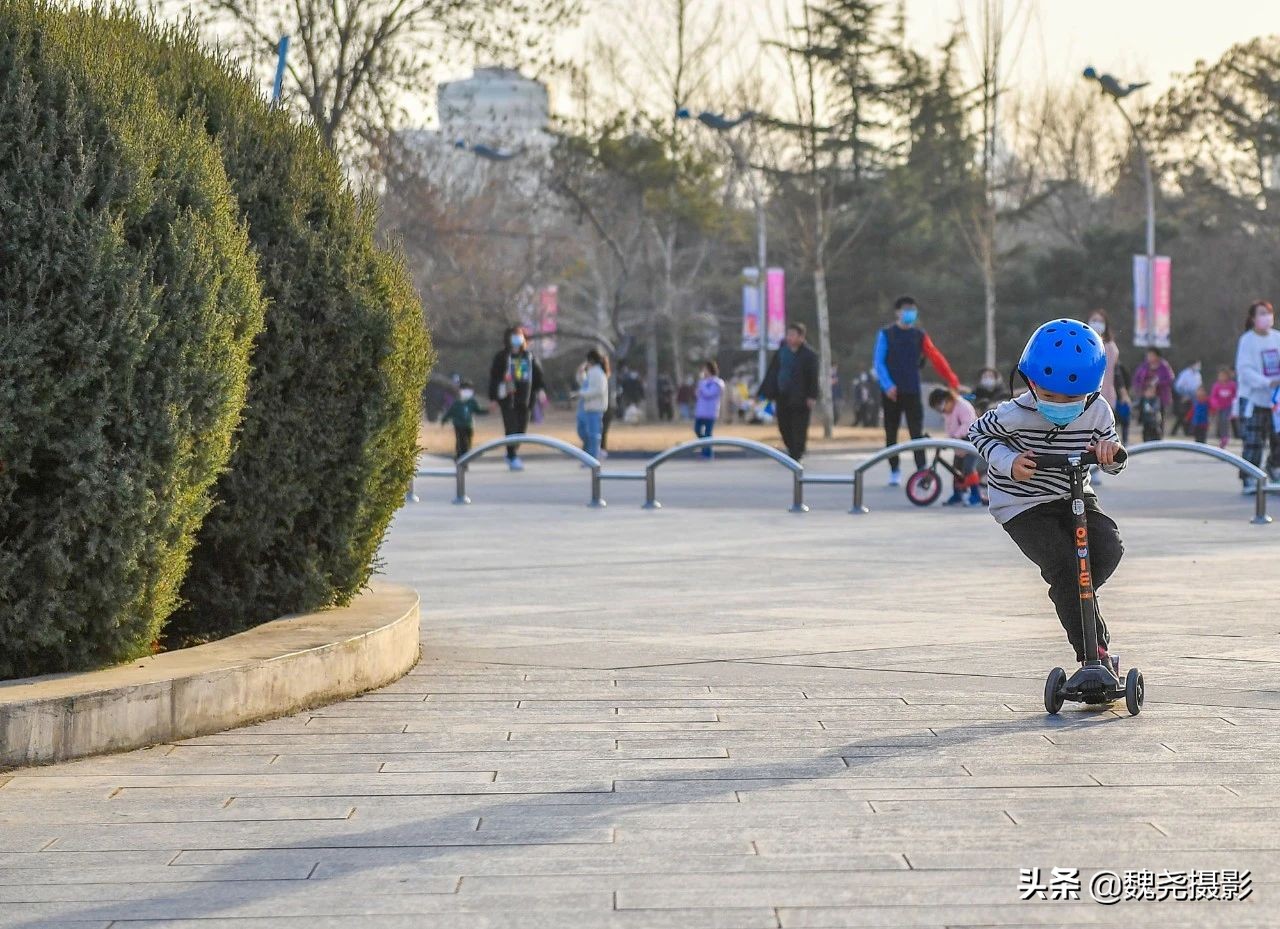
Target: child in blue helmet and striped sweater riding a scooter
[1063, 368]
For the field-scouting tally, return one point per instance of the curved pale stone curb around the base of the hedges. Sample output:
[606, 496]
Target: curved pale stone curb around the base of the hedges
[271, 671]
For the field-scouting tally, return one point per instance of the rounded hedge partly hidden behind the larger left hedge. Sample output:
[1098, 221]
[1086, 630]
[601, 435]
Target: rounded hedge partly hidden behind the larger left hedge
[330, 437]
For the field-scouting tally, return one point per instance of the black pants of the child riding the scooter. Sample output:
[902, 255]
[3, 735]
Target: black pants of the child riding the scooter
[1046, 534]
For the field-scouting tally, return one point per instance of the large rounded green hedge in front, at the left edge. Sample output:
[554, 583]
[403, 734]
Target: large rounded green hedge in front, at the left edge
[129, 306]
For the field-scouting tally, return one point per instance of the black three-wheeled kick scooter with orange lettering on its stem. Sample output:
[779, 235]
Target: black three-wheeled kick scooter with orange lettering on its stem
[1095, 683]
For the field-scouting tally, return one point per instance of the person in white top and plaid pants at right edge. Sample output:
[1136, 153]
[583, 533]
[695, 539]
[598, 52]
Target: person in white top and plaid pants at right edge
[1258, 376]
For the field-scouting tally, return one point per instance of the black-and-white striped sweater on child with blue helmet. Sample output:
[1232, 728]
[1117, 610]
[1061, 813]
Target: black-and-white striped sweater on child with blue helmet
[1016, 427]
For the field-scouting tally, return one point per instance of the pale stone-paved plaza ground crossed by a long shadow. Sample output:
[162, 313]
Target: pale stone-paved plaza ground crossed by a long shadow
[715, 716]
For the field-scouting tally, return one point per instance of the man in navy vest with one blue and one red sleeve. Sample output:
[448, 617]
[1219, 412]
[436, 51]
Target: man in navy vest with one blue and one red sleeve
[900, 353]
